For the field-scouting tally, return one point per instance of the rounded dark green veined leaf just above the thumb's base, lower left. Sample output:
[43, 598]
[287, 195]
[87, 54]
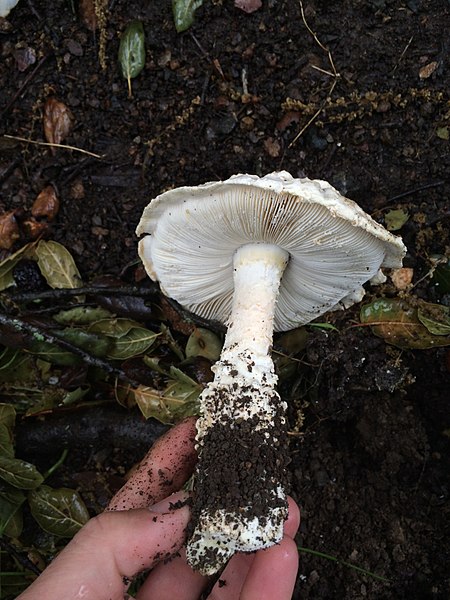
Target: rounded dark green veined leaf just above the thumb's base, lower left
[60, 511]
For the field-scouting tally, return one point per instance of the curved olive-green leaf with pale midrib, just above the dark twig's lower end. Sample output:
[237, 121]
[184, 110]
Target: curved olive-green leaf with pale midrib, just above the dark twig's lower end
[127, 337]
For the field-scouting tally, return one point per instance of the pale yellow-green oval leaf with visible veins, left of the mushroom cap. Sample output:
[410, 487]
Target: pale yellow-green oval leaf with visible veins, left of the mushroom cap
[57, 265]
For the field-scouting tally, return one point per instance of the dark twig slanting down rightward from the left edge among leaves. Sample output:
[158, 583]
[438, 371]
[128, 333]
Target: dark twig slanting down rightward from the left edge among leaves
[41, 334]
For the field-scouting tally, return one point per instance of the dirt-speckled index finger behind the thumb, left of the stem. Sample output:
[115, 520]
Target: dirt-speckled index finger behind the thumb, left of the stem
[165, 468]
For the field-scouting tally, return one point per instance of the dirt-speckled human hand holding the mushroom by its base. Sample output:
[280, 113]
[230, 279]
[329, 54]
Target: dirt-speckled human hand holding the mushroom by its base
[106, 554]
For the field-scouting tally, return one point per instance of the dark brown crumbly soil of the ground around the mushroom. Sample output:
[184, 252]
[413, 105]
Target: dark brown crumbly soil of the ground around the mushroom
[370, 466]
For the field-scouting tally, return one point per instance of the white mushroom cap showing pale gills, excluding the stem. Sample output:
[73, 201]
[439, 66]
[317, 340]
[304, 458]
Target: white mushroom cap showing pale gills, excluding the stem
[334, 246]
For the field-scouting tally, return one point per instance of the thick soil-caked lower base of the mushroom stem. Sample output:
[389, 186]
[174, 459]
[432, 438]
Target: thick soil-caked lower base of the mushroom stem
[240, 502]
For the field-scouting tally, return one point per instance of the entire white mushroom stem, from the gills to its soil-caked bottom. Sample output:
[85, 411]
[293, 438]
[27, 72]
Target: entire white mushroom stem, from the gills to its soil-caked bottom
[240, 502]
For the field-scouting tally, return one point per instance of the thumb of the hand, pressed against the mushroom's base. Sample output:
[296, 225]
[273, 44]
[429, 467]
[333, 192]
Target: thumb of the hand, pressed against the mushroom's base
[110, 549]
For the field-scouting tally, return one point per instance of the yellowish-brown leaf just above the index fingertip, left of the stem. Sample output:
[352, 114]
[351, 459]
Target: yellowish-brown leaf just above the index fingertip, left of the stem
[178, 400]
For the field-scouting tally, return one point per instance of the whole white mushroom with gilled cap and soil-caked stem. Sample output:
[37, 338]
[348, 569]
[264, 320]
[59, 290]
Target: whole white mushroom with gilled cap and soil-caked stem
[257, 254]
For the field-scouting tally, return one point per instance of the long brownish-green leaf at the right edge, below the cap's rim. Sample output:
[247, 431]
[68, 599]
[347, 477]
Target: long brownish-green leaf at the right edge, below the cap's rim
[398, 323]
